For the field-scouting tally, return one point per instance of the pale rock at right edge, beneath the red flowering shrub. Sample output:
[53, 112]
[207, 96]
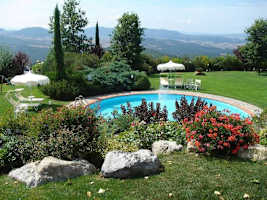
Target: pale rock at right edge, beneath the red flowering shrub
[255, 152]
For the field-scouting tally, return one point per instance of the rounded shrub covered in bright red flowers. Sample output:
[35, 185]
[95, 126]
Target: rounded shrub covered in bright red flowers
[215, 132]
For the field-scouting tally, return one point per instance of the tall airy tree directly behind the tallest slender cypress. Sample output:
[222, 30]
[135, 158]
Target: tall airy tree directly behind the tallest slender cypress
[73, 22]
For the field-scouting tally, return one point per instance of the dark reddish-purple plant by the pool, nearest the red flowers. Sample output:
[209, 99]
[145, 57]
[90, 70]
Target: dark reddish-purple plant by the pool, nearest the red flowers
[185, 110]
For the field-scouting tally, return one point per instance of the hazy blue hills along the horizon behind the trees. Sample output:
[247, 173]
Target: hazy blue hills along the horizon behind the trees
[36, 41]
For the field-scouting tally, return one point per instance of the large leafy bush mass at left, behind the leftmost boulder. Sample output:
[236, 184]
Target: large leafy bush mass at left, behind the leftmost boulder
[67, 133]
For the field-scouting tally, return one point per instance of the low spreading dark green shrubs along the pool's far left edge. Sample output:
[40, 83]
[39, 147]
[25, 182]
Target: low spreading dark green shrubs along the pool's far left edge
[115, 77]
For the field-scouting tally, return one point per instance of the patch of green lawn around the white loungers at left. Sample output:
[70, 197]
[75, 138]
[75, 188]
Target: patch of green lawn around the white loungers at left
[6, 107]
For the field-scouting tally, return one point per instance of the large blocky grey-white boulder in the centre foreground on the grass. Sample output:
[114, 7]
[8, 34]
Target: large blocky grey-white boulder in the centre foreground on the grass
[119, 164]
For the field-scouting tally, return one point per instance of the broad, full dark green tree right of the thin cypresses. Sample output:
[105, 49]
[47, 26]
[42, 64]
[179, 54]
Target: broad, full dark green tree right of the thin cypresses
[127, 38]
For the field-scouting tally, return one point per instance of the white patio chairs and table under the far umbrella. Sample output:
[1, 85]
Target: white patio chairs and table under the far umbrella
[190, 84]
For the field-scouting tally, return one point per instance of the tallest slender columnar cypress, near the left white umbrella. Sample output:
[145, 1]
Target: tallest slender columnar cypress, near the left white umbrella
[59, 55]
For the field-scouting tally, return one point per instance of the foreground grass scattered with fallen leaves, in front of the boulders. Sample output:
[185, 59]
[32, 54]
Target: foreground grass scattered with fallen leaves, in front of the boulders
[186, 177]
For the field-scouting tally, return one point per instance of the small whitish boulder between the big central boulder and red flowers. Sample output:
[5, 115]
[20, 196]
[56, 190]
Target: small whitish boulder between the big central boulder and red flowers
[165, 147]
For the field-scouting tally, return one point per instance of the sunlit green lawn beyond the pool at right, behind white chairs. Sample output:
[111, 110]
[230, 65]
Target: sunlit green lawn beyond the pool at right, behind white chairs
[245, 86]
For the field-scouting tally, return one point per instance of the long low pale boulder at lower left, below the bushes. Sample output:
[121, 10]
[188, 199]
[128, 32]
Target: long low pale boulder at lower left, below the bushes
[51, 169]
